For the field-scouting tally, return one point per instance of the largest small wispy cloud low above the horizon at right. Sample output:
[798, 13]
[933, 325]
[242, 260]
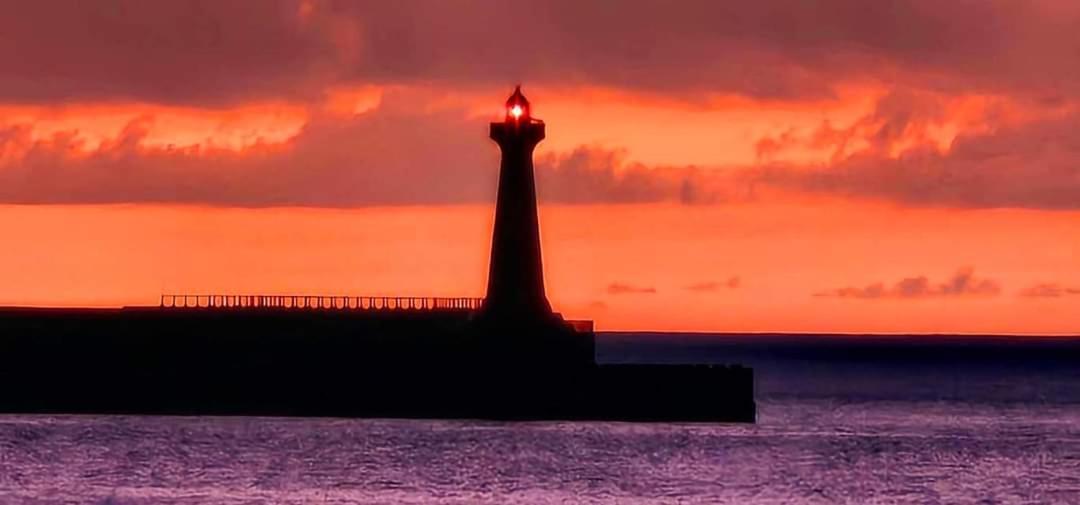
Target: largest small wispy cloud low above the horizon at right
[963, 284]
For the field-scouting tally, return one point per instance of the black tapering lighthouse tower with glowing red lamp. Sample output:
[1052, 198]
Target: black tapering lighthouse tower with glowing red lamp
[516, 294]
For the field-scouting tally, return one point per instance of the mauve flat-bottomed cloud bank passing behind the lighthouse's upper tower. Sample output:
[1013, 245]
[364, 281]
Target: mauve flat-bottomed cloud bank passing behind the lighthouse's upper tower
[407, 151]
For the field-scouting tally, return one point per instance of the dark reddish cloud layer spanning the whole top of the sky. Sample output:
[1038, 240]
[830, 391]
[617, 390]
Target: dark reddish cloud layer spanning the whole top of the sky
[221, 51]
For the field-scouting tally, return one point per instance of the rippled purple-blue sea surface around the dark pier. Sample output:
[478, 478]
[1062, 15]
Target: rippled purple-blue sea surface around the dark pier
[842, 420]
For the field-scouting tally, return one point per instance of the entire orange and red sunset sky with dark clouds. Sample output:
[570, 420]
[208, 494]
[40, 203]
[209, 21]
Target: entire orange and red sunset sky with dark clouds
[788, 166]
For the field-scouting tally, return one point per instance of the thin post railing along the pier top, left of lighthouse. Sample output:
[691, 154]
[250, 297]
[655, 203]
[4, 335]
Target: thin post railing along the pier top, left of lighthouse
[320, 303]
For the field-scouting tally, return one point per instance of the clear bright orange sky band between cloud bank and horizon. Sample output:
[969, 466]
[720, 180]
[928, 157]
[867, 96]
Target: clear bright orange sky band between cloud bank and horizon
[781, 255]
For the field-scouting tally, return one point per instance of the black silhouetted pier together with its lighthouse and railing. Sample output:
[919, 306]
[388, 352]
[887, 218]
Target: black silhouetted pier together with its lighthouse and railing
[505, 357]
